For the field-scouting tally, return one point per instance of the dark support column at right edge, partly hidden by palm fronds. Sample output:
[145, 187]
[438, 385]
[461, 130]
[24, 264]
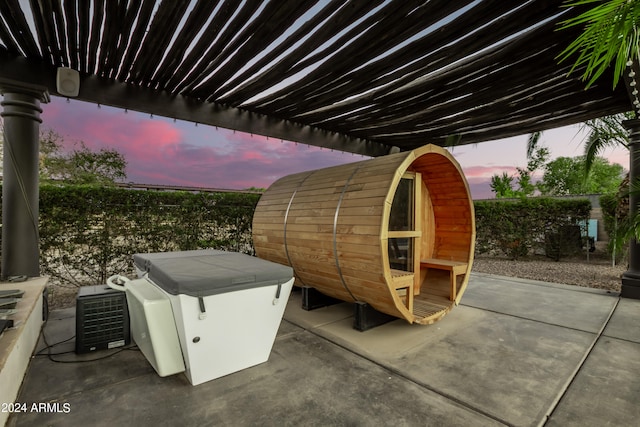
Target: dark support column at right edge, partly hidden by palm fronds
[631, 277]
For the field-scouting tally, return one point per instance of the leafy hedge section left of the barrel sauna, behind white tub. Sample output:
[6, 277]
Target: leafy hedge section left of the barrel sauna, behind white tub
[88, 233]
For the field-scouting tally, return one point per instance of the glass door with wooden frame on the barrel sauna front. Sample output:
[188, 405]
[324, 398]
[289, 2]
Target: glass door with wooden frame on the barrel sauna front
[405, 229]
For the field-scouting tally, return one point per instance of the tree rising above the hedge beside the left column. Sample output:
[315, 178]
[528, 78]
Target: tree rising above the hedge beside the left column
[81, 165]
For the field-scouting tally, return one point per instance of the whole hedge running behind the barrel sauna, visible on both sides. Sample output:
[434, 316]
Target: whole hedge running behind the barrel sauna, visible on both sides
[88, 233]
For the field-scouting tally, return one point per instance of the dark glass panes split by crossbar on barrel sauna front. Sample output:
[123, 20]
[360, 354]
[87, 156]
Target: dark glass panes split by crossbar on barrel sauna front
[402, 226]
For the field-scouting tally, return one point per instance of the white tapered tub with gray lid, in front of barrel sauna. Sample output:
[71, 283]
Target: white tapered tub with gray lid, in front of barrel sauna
[227, 306]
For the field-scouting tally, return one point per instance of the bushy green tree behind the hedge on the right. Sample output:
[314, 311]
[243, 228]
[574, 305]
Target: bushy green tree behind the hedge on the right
[565, 175]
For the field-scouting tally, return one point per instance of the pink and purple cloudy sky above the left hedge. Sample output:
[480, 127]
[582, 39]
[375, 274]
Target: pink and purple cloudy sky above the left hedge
[160, 151]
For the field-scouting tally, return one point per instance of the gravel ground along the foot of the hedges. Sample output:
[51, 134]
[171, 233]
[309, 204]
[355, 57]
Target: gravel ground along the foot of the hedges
[597, 272]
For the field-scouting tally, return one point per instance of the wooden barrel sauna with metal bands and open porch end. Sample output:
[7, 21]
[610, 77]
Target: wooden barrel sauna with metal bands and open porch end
[396, 232]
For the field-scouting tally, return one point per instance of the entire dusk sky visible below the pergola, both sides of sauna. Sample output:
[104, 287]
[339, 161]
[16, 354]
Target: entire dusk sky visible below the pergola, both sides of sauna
[161, 151]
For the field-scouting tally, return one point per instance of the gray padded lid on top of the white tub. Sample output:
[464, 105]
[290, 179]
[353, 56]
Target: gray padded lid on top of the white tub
[208, 272]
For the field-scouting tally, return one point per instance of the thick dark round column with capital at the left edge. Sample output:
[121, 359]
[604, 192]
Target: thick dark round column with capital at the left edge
[20, 238]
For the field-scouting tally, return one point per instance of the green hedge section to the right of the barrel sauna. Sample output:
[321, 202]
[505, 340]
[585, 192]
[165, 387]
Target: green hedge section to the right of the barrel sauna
[517, 228]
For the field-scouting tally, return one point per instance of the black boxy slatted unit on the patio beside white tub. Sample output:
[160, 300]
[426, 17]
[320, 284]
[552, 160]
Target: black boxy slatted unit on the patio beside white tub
[102, 319]
